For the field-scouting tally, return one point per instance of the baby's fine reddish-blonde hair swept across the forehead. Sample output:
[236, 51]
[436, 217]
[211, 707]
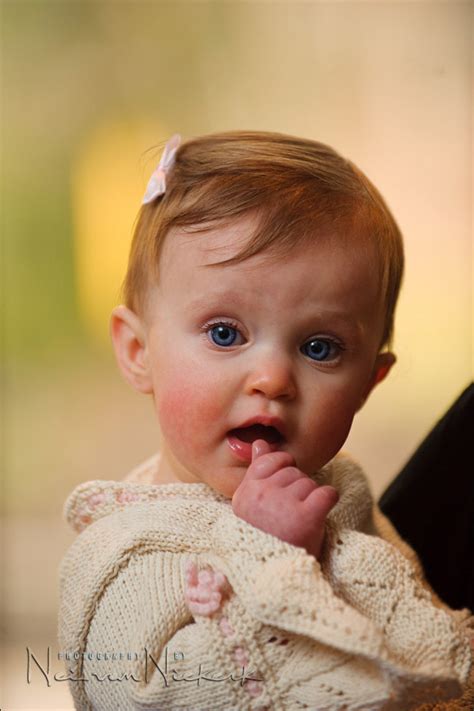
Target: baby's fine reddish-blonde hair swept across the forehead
[299, 189]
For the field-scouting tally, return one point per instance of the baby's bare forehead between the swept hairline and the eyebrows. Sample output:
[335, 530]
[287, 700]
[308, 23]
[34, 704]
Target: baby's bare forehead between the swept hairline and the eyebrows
[195, 266]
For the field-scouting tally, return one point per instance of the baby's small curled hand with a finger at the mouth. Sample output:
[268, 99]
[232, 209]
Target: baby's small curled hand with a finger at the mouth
[280, 499]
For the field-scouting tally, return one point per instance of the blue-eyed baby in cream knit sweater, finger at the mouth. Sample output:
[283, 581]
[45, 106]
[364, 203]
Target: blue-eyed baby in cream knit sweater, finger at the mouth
[242, 567]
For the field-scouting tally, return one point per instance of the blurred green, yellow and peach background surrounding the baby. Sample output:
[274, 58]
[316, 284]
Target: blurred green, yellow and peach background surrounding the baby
[87, 88]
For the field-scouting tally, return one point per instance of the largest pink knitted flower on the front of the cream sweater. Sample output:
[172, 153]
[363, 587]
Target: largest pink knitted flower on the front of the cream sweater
[205, 590]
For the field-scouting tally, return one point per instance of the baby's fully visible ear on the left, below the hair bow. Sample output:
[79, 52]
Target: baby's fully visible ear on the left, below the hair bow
[129, 340]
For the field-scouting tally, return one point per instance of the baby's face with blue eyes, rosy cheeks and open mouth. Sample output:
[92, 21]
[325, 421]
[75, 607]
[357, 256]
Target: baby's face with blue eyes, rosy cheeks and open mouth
[283, 349]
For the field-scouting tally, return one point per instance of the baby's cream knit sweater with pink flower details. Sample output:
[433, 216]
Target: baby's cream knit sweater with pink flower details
[263, 625]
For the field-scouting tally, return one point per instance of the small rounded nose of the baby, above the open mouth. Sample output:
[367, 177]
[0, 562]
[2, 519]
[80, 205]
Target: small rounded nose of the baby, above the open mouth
[273, 377]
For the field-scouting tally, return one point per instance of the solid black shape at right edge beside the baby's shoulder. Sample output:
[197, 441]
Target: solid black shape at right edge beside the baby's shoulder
[431, 503]
